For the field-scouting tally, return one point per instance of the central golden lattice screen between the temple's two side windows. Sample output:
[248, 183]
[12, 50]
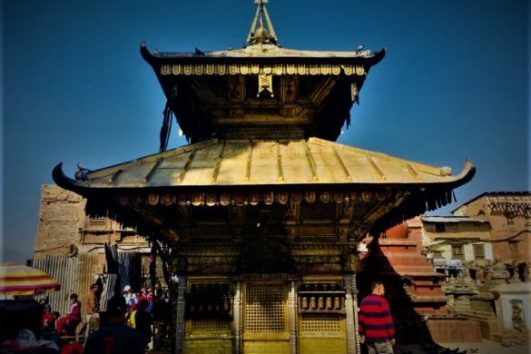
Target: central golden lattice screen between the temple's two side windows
[265, 308]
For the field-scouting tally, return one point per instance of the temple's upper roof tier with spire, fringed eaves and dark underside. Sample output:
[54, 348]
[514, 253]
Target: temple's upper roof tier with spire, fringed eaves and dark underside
[247, 92]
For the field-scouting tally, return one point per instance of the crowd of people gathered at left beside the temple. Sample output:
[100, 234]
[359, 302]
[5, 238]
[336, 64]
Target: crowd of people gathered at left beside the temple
[126, 325]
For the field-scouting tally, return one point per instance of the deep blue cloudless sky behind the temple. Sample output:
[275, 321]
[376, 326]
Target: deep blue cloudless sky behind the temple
[454, 85]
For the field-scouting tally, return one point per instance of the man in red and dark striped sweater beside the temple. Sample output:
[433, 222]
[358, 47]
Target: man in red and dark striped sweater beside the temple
[376, 327]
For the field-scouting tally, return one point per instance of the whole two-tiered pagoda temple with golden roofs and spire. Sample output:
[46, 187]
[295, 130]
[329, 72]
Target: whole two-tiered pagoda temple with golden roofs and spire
[259, 217]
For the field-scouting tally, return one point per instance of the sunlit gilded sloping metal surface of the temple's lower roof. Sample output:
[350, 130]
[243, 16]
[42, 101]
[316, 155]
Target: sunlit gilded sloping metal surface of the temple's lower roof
[231, 163]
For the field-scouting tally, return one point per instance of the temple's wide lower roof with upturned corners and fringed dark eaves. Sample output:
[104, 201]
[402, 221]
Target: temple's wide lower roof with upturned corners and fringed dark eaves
[235, 172]
